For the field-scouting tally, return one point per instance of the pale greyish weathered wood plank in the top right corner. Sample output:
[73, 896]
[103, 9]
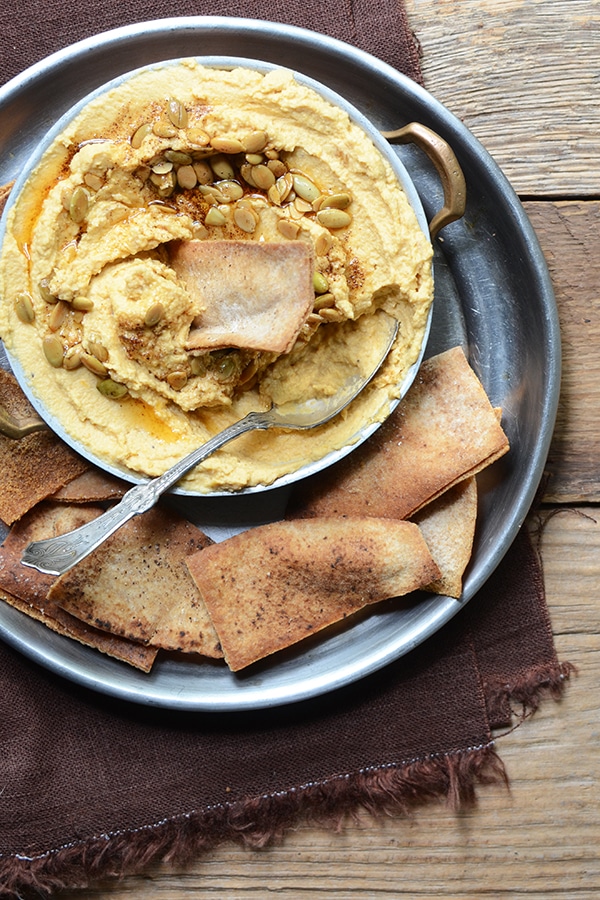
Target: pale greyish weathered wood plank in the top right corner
[523, 76]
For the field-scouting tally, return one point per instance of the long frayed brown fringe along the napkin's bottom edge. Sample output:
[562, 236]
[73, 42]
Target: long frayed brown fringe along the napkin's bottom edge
[391, 790]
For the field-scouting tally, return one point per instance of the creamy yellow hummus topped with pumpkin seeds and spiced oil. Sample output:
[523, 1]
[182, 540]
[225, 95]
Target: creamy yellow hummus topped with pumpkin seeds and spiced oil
[107, 327]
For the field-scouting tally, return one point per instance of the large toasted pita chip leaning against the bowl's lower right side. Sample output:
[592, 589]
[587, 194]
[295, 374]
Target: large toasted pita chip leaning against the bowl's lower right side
[443, 431]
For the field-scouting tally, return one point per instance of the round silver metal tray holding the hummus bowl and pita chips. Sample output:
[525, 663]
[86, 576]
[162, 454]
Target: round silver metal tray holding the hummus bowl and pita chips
[493, 296]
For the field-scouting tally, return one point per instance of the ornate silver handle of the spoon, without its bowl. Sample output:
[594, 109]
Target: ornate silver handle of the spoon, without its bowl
[57, 555]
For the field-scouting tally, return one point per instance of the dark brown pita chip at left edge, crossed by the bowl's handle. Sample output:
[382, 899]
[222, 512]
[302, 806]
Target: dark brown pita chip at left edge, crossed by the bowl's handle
[33, 467]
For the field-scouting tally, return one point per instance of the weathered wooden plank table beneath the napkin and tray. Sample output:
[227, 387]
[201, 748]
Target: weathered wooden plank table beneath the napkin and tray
[524, 76]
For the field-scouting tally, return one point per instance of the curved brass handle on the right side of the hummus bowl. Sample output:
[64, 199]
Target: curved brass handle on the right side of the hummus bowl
[442, 156]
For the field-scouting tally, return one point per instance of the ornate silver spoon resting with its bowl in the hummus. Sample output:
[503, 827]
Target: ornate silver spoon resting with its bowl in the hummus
[57, 555]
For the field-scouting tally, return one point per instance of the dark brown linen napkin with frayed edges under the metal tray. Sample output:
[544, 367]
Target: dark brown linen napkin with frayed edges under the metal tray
[92, 787]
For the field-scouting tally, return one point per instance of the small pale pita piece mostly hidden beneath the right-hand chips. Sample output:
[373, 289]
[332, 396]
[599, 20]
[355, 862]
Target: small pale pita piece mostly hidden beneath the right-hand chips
[448, 526]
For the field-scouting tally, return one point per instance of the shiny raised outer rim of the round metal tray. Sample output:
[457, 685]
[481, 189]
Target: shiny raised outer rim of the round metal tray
[553, 362]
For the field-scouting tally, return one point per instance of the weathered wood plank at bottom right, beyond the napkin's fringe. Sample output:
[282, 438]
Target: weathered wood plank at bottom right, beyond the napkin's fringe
[538, 840]
